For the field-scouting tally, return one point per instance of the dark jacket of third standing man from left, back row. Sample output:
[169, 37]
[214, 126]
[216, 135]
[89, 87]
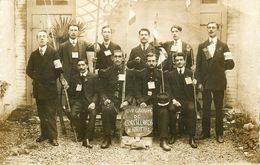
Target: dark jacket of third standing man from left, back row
[104, 61]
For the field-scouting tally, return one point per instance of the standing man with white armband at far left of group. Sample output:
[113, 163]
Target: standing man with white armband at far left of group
[44, 73]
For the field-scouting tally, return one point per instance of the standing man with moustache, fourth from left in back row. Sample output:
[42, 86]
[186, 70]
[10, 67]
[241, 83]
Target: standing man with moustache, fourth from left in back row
[137, 58]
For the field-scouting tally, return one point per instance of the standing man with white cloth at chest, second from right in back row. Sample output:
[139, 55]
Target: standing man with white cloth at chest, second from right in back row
[177, 46]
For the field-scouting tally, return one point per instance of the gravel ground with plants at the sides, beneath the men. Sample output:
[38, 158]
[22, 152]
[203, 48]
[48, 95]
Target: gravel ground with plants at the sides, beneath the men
[18, 146]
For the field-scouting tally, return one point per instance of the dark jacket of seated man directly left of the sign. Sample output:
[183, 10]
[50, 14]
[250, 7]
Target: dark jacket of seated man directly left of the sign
[109, 84]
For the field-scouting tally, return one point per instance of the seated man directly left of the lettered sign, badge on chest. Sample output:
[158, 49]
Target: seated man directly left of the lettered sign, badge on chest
[111, 83]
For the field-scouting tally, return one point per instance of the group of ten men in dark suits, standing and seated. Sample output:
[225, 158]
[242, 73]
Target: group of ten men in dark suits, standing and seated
[141, 81]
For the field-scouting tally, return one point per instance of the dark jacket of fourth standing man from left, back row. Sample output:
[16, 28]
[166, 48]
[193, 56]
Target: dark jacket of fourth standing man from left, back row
[138, 52]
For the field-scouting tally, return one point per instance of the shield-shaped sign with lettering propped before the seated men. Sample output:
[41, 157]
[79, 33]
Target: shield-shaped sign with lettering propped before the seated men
[138, 122]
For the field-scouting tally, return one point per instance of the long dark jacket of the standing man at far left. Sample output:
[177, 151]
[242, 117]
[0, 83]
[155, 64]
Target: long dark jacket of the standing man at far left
[43, 73]
